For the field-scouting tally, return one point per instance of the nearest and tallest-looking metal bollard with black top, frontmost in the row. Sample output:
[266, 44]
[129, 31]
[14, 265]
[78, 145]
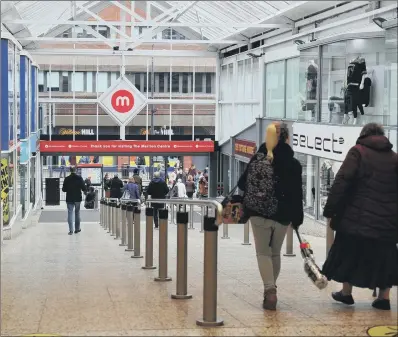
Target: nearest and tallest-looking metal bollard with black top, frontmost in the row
[209, 318]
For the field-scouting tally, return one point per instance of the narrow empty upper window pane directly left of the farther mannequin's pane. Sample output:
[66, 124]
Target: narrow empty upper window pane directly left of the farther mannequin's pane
[293, 101]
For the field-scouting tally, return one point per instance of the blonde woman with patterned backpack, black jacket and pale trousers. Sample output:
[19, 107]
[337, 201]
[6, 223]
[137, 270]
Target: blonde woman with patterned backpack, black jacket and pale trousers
[275, 171]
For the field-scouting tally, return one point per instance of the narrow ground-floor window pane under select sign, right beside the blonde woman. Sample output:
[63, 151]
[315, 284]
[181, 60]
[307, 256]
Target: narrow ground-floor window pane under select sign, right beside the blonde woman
[308, 179]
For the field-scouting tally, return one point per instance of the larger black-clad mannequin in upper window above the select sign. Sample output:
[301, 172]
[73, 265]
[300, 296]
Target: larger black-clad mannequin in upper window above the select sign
[356, 73]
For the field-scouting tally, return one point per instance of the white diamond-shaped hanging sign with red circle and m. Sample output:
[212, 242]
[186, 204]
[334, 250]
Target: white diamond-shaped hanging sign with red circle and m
[122, 101]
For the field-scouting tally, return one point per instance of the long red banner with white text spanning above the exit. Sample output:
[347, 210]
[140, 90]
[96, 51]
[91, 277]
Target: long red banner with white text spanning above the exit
[126, 146]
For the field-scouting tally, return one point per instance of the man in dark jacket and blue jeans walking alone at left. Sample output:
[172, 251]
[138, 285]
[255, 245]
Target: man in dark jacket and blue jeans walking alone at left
[73, 186]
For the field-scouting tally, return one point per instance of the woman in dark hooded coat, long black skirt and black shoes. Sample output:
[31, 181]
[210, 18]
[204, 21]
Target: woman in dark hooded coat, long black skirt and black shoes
[362, 209]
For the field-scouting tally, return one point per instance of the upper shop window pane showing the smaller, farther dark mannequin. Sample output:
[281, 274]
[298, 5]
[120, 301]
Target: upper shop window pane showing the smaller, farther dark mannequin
[308, 77]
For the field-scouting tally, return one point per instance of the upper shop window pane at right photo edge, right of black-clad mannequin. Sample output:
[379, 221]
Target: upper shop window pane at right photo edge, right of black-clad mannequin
[391, 82]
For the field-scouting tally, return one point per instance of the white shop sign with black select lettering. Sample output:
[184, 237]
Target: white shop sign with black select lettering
[326, 141]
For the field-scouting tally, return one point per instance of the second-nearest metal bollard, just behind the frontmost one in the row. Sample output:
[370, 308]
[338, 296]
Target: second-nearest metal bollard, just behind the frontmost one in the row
[182, 257]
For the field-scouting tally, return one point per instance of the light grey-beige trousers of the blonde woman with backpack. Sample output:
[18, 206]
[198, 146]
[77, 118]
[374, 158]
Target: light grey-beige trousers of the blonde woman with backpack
[268, 237]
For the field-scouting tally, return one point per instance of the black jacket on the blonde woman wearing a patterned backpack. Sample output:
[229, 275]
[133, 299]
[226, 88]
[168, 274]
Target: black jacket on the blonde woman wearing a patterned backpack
[289, 189]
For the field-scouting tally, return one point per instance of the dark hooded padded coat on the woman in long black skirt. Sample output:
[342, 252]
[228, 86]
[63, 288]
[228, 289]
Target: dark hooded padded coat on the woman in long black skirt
[363, 200]
